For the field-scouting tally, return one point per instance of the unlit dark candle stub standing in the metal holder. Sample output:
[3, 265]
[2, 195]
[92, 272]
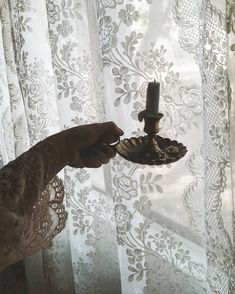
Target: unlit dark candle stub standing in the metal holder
[153, 95]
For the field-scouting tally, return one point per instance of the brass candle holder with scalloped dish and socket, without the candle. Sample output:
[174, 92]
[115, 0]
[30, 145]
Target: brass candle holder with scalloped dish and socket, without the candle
[150, 149]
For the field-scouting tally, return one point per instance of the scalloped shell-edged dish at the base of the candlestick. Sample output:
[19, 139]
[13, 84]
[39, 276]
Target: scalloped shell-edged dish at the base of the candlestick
[157, 151]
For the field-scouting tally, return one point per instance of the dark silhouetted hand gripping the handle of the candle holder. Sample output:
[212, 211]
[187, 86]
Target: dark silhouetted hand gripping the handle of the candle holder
[87, 145]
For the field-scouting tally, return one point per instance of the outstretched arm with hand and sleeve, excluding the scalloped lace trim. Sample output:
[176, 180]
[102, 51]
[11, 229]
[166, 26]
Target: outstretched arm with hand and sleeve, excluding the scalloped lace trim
[23, 181]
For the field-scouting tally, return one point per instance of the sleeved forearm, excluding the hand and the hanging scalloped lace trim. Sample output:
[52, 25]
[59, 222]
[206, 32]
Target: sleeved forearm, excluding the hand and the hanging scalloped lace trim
[22, 182]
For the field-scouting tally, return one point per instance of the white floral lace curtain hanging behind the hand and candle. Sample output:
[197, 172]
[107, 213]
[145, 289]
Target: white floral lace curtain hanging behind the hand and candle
[131, 229]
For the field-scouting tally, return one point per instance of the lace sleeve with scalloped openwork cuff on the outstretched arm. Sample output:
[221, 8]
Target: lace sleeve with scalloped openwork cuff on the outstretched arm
[31, 209]
